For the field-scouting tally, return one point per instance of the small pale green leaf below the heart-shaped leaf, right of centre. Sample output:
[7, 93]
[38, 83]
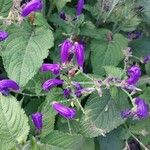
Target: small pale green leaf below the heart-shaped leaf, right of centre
[114, 71]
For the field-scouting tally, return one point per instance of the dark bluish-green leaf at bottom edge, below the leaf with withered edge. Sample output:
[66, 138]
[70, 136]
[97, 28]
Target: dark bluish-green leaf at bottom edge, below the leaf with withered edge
[112, 141]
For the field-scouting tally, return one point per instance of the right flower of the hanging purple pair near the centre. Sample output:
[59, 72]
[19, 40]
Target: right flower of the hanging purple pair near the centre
[79, 51]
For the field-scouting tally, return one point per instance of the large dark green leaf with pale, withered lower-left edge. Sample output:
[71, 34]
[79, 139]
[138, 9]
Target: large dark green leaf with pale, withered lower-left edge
[102, 115]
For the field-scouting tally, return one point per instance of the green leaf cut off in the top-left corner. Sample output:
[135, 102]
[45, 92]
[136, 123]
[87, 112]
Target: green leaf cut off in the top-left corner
[5, 6]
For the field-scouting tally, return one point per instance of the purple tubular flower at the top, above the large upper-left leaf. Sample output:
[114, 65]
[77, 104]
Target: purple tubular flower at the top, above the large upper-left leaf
[32, 6]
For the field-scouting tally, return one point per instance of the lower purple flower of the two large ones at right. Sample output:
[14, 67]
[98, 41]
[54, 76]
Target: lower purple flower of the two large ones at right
[141, 109]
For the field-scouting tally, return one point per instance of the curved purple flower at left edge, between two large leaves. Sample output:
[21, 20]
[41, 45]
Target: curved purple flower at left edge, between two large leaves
[8, 85]
